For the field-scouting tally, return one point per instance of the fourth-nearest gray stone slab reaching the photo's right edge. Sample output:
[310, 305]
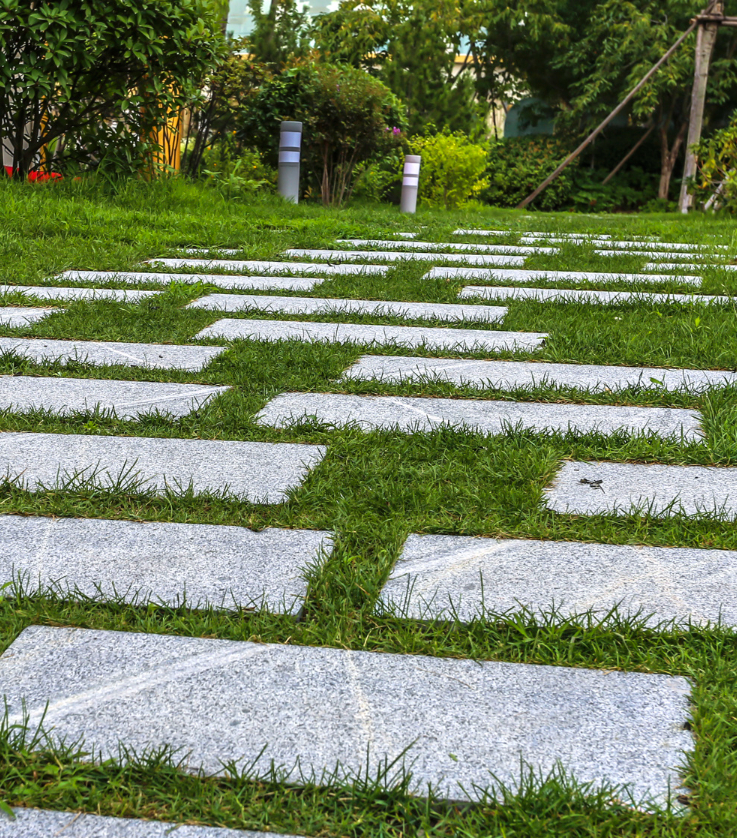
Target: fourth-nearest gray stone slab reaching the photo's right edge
[582, 295]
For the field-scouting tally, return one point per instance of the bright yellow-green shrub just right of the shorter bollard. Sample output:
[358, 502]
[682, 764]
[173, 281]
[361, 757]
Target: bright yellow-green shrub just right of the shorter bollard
[453, 169]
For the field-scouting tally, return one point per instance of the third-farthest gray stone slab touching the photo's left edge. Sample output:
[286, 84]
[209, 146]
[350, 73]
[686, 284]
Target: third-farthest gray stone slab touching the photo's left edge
[149, 355]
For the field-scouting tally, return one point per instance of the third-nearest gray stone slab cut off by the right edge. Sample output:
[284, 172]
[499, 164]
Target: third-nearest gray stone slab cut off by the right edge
[507, 375]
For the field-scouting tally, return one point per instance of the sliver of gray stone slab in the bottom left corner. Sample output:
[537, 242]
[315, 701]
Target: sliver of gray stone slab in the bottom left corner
[42, 823]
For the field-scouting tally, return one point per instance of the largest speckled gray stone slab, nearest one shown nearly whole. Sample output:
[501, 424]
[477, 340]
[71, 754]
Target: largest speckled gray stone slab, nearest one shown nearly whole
[462, 721]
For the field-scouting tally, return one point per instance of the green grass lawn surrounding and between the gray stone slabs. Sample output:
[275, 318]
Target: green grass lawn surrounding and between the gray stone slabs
[373, 490]
